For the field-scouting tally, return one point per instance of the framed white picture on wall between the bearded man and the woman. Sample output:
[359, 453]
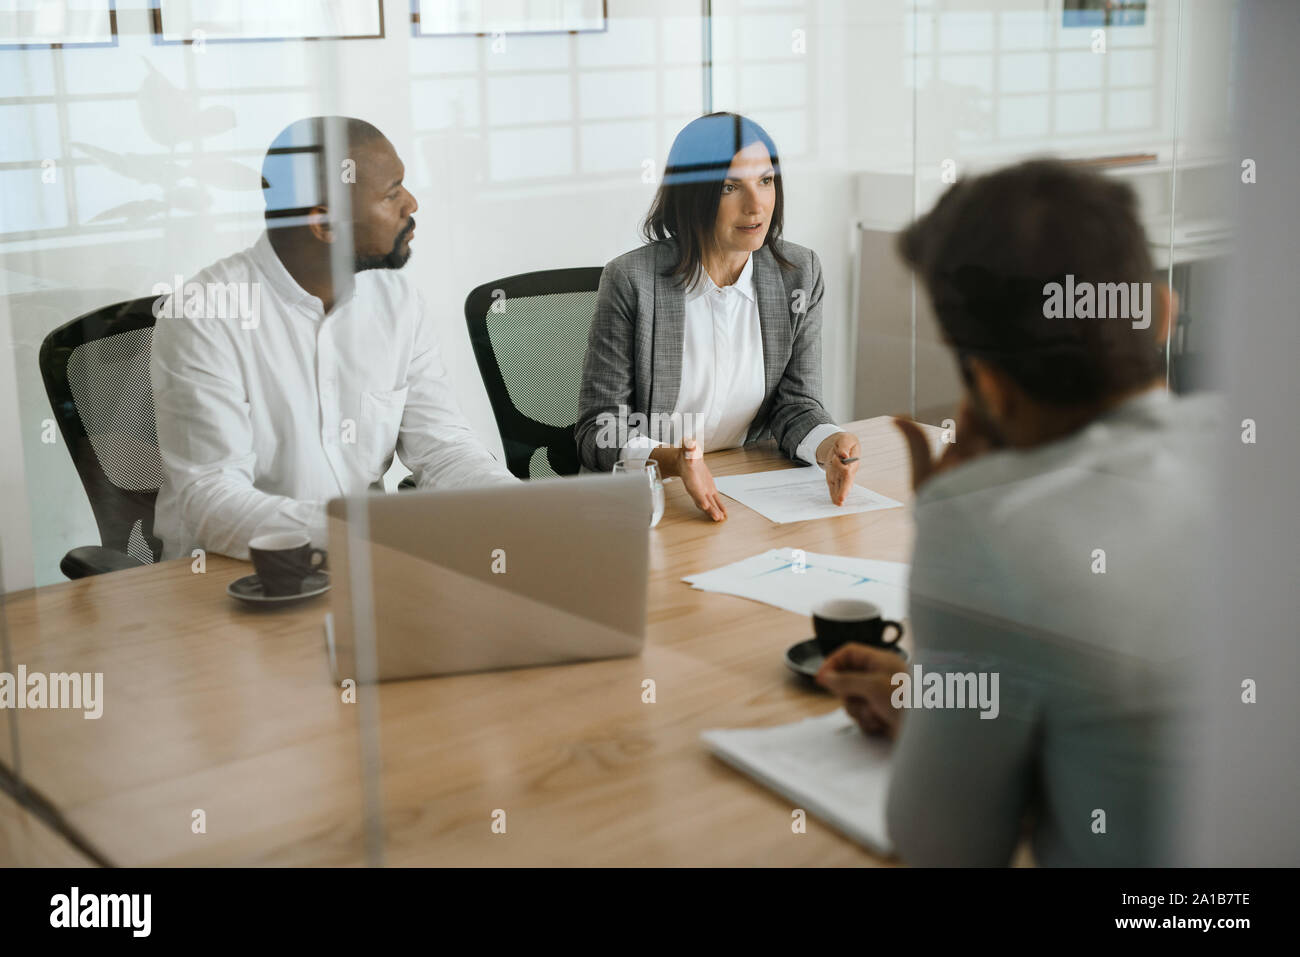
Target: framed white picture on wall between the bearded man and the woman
[486, 18]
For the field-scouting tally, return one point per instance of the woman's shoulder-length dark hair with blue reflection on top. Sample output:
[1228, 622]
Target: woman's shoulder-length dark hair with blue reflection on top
[686, 206]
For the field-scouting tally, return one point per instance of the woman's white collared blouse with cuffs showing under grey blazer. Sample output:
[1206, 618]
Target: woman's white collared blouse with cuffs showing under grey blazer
[722, 371]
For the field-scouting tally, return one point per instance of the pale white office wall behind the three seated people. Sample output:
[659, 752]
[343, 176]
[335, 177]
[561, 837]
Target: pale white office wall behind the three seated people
[131, 148]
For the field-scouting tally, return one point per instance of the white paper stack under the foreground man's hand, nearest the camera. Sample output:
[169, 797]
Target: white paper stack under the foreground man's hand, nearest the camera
[824, 765]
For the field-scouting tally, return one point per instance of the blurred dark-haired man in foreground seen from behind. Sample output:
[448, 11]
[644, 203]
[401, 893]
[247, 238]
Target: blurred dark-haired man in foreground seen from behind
[1063, 544]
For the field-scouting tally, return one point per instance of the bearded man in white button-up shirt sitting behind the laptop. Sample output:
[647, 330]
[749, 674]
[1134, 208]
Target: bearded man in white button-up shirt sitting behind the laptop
[289, 374]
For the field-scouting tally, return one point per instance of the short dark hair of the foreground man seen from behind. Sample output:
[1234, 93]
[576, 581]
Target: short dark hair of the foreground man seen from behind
[987, 253]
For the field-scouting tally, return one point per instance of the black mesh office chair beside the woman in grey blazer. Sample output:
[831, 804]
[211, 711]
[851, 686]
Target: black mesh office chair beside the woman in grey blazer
[530, 337]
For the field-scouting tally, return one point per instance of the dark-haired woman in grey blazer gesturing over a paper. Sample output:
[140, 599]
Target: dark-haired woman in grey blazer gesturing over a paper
[710, 336]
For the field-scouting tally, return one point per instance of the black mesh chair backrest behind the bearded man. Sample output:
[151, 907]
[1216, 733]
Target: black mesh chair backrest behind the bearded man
[97, 373]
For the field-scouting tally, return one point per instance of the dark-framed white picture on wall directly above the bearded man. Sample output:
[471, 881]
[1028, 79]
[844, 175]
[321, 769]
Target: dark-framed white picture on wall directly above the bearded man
[235, 21]
